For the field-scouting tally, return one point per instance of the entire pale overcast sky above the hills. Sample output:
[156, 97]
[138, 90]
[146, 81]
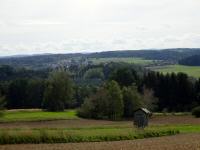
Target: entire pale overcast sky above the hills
[64, 26]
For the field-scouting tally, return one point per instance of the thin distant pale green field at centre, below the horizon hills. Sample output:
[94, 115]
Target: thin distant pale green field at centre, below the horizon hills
[131, 60]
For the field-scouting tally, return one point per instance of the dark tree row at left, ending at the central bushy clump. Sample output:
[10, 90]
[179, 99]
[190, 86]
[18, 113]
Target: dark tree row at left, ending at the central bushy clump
[55, 93]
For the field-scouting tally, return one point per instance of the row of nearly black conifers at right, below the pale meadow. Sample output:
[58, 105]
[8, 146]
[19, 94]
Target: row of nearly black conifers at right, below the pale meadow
[175, 92]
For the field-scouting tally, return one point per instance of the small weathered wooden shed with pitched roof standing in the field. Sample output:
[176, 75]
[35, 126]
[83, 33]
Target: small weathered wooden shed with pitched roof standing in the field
[141, 117]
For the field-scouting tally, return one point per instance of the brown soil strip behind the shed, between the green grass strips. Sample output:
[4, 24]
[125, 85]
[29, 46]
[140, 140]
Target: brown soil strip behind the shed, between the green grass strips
[157, 120]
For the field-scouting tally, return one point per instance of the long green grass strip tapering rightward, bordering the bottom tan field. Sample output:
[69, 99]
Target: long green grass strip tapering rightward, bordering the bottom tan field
[19, 136]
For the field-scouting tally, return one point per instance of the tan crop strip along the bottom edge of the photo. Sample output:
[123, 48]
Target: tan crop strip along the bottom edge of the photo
[177, 142]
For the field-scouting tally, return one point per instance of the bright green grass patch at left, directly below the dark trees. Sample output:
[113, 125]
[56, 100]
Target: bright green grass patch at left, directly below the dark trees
[37, 115]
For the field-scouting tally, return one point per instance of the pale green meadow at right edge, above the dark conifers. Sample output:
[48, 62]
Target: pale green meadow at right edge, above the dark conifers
[193, 71]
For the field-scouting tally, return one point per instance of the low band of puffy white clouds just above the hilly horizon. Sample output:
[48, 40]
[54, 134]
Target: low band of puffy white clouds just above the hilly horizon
[72, 46]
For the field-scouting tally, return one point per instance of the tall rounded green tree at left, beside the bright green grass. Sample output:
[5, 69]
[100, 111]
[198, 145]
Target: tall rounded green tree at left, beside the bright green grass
[58, 92]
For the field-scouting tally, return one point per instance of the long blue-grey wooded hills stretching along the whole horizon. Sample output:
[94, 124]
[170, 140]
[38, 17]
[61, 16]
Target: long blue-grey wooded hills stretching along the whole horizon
[55, 60]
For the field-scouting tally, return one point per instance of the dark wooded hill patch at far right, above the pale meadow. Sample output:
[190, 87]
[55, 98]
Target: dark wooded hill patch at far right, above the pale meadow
[191, 61]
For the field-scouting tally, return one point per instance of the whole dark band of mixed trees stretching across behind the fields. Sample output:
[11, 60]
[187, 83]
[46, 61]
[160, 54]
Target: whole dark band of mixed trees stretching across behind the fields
[122, 90]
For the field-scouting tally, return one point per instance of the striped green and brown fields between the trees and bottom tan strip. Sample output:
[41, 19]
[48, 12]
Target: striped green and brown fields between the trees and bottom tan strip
[36, 128]
